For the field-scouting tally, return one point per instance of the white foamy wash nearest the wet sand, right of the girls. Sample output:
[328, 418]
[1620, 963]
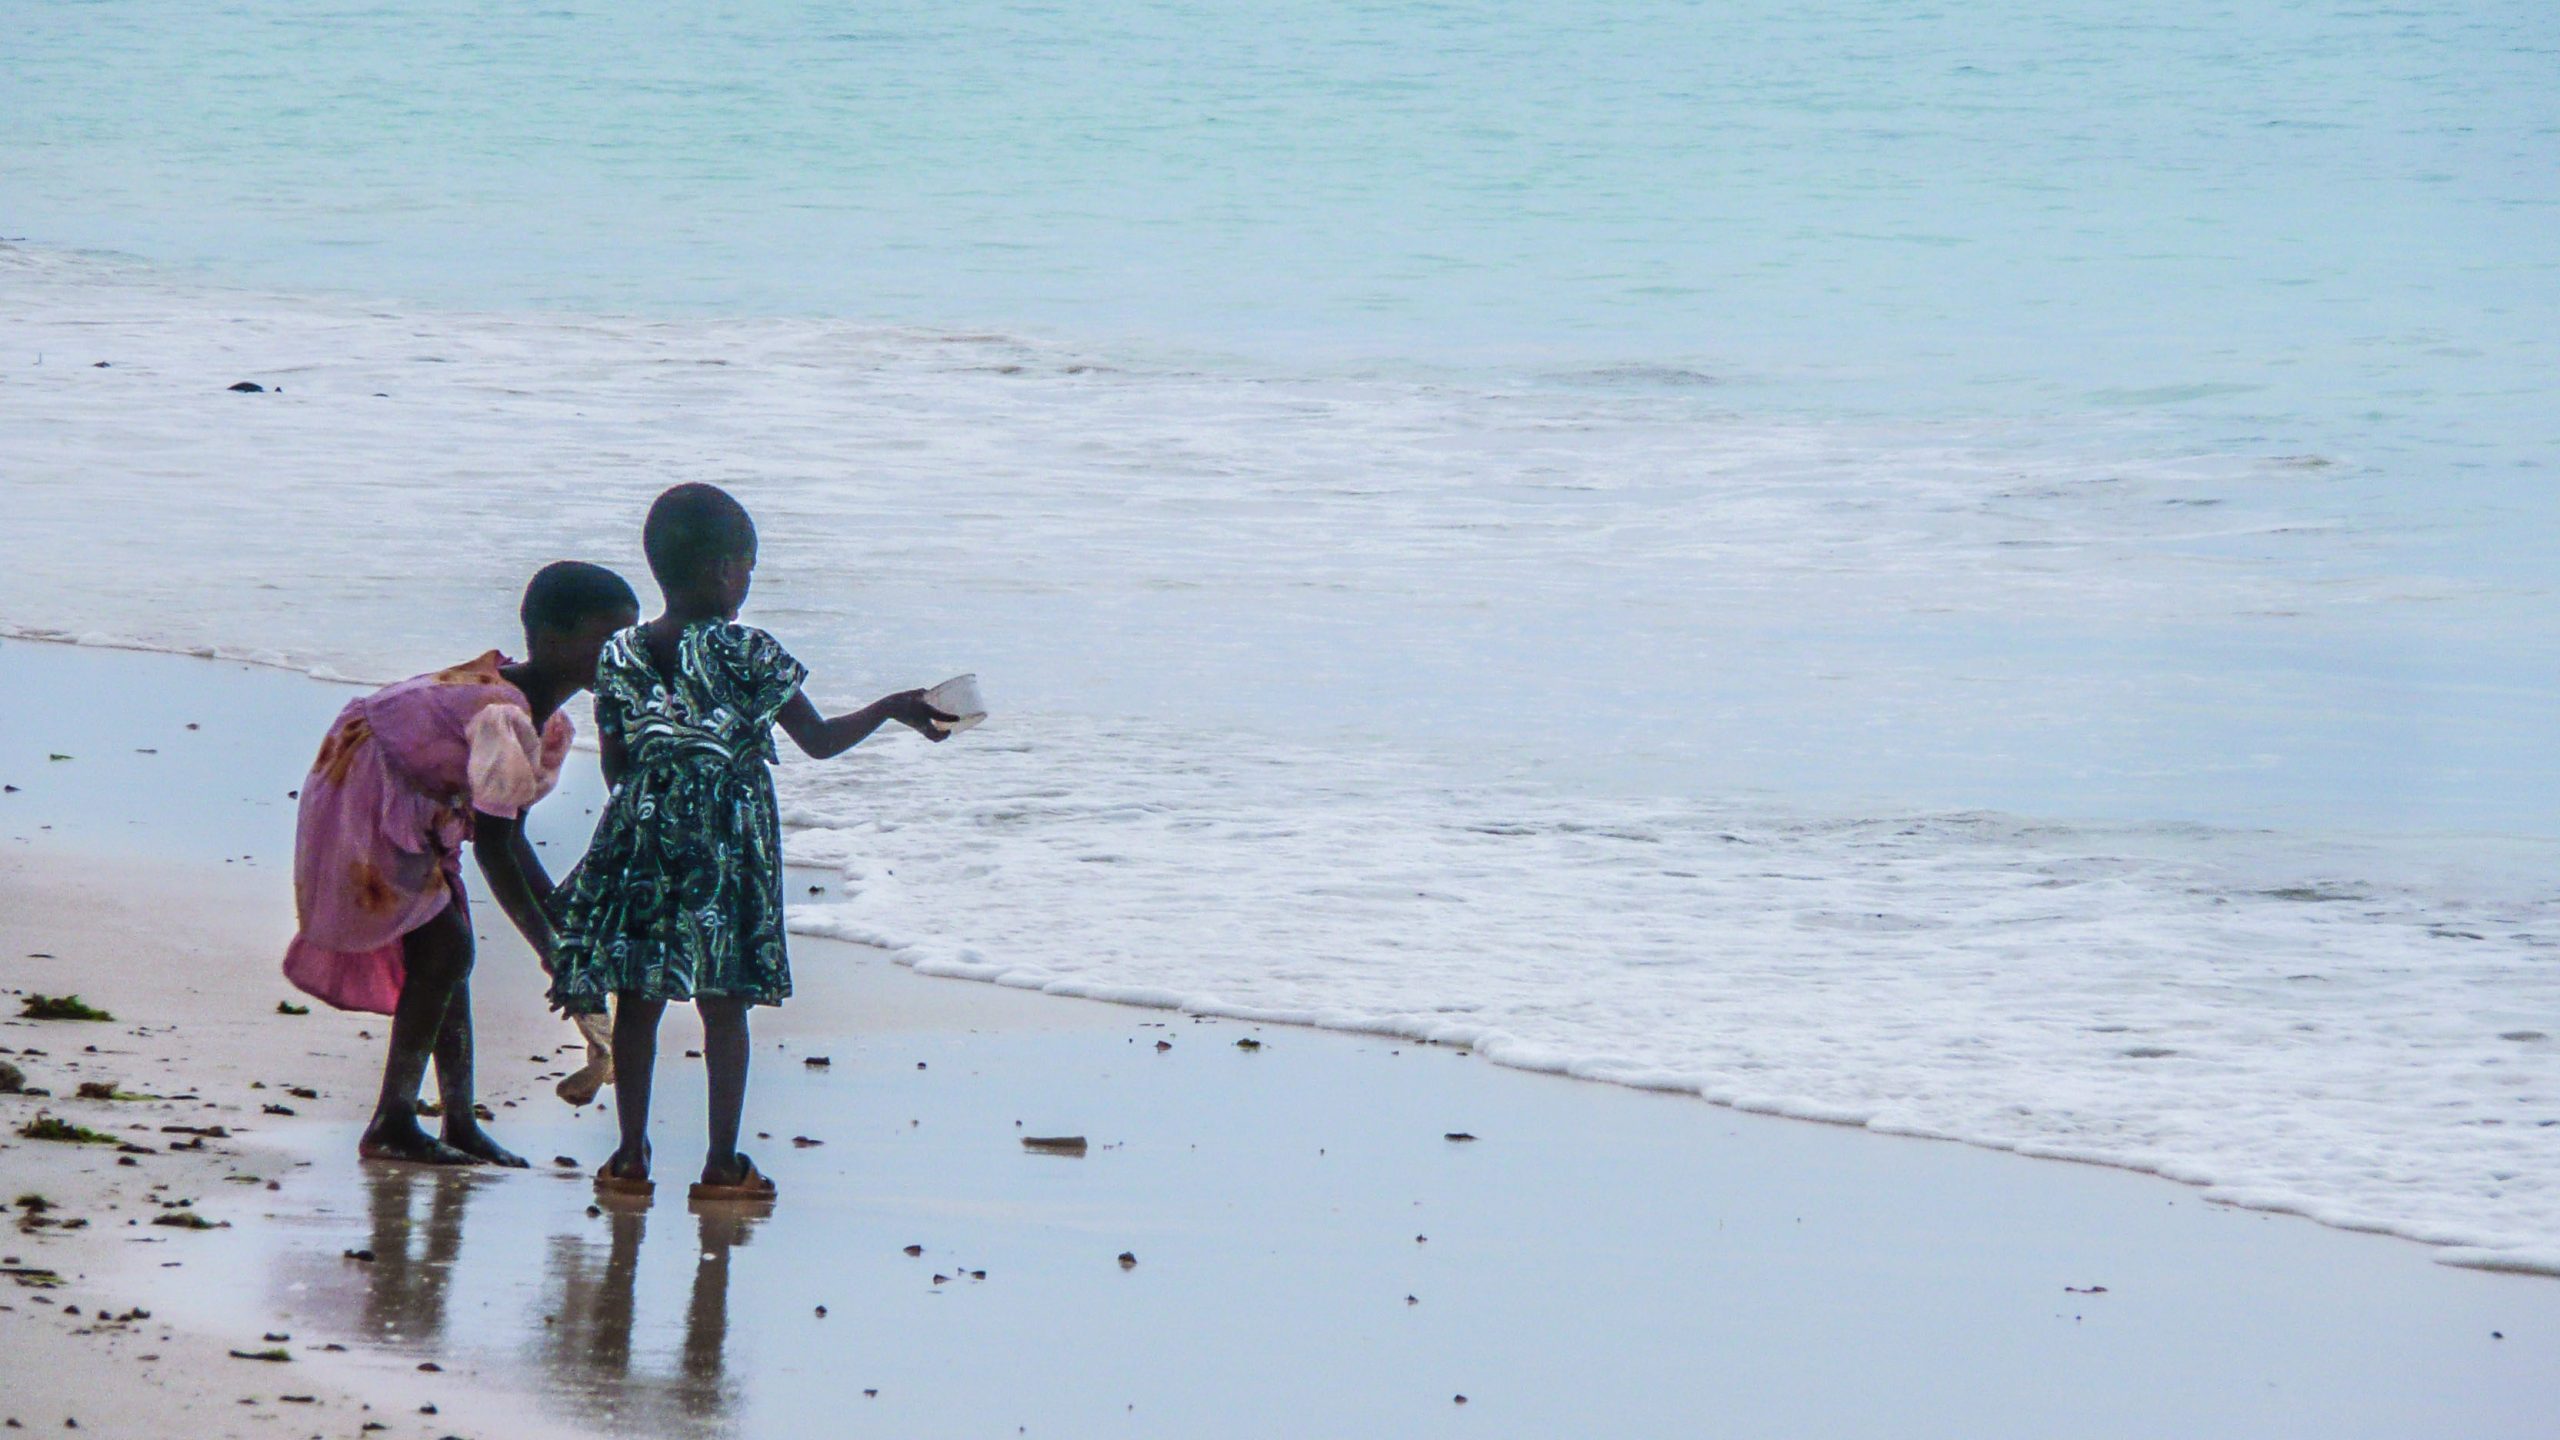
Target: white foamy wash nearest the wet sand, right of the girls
[2231, 1011]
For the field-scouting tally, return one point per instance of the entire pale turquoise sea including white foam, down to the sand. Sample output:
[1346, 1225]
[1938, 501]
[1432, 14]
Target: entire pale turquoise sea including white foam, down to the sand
[1978, 573]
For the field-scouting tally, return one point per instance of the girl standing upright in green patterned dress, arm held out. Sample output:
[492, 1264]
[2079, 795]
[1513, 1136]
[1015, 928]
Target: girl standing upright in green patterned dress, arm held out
[682, 890]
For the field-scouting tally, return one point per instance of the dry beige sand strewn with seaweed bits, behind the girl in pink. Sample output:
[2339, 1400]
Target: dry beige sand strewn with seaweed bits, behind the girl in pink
[170, 949]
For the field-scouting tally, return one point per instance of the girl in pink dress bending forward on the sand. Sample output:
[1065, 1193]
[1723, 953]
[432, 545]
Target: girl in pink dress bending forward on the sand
[403, 780]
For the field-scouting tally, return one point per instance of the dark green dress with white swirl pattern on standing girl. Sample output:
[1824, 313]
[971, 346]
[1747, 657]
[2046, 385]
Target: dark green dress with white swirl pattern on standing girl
[682, 890]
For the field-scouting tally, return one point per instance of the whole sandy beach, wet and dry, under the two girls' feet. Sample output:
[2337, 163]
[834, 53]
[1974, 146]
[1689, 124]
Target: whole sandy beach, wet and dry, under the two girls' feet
[1312, 1252]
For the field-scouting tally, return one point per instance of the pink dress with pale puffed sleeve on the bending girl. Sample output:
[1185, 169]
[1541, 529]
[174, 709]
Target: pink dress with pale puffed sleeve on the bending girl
[385, 816]
